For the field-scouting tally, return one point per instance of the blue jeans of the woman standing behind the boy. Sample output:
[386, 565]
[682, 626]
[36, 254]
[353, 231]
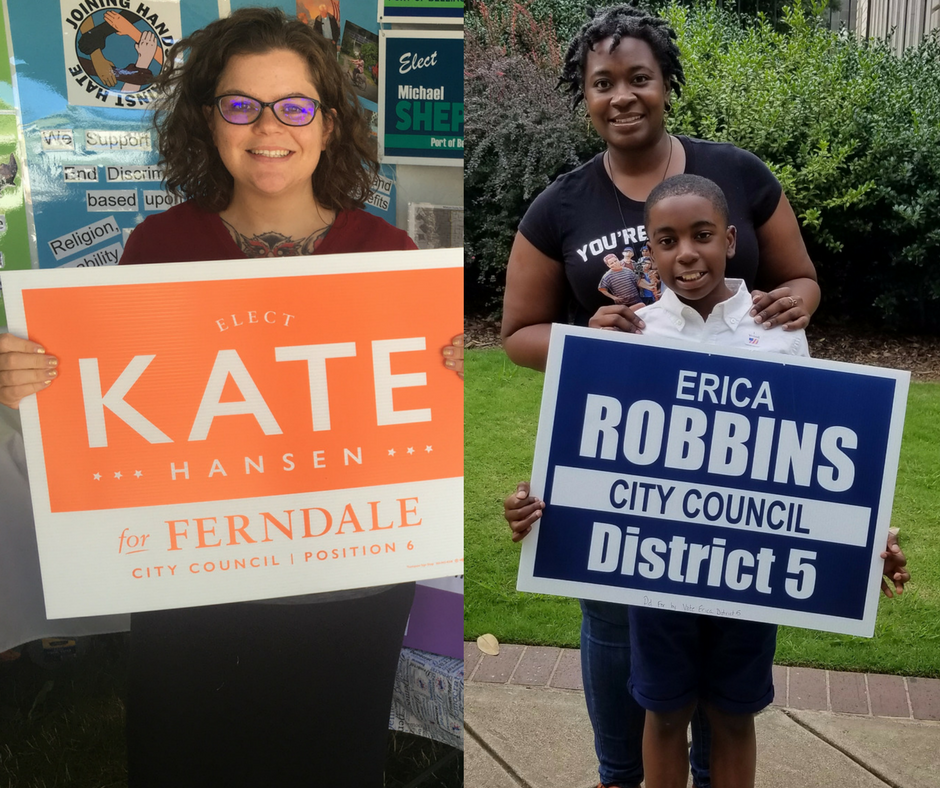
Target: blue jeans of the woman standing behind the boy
[616, 717]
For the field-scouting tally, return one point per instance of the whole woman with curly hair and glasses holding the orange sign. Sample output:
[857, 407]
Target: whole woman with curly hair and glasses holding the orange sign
[263, 137]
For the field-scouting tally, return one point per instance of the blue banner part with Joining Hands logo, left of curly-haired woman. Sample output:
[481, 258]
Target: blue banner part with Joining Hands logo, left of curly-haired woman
[83, 73]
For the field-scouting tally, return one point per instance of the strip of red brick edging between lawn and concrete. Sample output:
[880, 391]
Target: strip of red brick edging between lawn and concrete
[806, 689]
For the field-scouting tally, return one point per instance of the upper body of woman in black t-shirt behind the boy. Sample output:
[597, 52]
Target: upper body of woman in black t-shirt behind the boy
[625, 65]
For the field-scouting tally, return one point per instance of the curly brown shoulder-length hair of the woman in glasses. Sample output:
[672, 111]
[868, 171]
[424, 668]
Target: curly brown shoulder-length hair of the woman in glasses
[194, 169]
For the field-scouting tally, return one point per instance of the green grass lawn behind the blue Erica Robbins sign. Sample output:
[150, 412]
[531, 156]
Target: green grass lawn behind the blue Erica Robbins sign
[502, 404]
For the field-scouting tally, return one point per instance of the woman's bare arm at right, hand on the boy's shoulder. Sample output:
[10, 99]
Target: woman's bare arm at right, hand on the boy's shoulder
[786, 273]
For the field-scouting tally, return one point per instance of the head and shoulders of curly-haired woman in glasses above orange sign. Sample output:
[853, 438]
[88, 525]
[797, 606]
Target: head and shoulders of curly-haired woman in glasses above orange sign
[263, 176]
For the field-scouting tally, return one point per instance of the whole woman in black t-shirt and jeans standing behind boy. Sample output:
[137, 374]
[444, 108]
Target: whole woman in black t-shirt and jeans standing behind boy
[625, 65]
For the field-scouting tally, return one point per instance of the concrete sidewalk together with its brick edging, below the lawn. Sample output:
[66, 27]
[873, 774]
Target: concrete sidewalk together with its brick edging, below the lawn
[526, 725]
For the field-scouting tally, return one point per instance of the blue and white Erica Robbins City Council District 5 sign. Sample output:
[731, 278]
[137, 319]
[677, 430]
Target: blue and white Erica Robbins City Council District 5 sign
[714, 481]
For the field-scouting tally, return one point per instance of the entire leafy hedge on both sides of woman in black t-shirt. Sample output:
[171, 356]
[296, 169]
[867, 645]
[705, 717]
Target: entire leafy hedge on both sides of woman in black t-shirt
[851, 130]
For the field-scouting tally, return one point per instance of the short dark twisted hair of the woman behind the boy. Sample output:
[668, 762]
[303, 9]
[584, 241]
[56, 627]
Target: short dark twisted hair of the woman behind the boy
[618, 22]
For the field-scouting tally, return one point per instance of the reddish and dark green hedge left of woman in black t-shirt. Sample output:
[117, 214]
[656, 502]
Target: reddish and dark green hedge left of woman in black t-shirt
[520, 133]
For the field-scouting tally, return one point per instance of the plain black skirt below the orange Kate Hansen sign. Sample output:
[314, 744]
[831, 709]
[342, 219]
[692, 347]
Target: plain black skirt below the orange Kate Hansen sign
[255, 694]
